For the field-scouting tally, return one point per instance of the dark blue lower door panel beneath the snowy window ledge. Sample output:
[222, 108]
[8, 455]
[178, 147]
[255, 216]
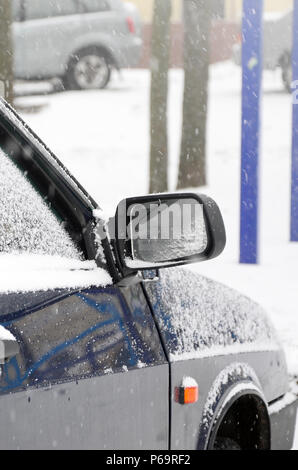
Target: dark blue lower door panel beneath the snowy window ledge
[90, 374]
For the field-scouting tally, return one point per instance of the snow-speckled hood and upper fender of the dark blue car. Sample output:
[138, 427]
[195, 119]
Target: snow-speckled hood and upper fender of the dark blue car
[199, 317]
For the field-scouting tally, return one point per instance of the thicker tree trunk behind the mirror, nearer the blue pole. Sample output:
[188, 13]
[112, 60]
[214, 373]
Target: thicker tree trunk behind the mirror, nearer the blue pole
[197, 21]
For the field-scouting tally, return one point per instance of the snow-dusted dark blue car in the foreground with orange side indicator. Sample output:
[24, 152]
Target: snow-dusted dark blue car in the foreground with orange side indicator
[111, 343]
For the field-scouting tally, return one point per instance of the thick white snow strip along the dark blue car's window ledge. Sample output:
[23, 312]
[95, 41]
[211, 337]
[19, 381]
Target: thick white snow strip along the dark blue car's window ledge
[29, 272]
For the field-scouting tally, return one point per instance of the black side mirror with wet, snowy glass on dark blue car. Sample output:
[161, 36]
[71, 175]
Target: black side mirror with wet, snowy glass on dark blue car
[165, 230]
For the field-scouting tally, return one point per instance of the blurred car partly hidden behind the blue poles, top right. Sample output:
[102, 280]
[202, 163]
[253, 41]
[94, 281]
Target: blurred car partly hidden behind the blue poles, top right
[277, 45]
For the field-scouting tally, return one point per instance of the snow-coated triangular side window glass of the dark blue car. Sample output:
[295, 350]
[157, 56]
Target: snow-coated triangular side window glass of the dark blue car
[26, 222]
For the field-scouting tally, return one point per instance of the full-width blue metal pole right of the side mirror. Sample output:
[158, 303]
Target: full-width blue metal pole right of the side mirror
[252, 64]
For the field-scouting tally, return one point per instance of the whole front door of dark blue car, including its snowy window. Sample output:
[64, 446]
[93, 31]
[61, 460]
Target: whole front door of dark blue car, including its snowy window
[91, 371]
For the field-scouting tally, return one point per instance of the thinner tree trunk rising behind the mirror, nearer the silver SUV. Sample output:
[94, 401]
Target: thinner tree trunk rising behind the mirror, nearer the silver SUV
[159, 96]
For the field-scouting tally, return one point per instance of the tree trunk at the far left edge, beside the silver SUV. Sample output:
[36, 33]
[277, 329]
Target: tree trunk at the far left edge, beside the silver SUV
[6, 54]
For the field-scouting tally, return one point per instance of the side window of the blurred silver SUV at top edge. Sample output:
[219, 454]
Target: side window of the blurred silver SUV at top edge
[36, 9]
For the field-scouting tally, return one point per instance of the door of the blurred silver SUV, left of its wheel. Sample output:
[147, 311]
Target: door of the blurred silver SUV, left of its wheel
[46, 36]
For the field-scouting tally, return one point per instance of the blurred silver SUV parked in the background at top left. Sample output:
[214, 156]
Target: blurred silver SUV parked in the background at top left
[79, 41]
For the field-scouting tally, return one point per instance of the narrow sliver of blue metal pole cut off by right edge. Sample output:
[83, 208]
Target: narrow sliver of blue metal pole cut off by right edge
[294, 198]
